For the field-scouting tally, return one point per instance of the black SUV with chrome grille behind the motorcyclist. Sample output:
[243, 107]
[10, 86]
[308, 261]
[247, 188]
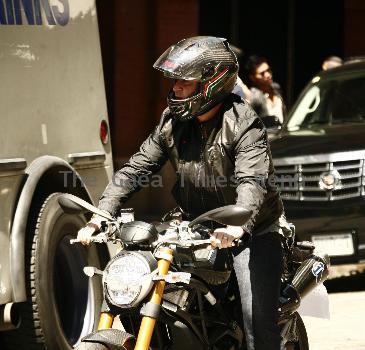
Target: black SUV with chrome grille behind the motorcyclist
[319, 158]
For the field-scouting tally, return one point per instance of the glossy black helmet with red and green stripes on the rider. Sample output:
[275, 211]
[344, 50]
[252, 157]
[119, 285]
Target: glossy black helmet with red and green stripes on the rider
[207, 59]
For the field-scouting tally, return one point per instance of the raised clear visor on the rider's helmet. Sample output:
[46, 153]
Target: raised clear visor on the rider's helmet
[180, 64]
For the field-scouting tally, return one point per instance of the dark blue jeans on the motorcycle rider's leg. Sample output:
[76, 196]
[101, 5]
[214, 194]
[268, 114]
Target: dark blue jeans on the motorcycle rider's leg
[258, 266]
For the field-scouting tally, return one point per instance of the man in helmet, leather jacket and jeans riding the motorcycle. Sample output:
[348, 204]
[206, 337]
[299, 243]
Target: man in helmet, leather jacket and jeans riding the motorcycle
[218, 147]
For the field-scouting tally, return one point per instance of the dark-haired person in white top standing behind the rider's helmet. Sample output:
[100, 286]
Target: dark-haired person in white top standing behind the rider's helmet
[265, 95]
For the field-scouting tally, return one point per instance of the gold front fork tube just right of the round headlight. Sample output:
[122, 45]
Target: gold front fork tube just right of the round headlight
[148, 323]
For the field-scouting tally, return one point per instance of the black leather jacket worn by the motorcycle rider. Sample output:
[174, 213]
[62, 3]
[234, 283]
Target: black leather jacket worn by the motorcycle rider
[223, 161]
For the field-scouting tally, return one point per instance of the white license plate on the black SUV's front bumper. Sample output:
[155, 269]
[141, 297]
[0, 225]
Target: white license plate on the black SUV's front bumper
[334, 245]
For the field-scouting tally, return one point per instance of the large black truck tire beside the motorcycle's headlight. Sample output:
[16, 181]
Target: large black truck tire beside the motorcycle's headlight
[62, 303]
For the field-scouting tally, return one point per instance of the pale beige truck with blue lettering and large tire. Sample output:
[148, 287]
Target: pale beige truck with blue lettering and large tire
[54, 139]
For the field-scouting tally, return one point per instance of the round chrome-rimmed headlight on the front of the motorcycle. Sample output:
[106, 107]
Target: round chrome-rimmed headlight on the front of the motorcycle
[127, 278]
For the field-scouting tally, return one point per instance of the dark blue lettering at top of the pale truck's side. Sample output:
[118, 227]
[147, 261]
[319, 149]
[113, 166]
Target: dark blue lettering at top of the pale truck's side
[11, 12]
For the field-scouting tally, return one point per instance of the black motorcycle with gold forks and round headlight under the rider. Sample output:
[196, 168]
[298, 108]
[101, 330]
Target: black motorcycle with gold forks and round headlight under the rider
[165, 289]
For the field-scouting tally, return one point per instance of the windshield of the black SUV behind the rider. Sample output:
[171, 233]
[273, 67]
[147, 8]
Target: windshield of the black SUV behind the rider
[338, 100]
